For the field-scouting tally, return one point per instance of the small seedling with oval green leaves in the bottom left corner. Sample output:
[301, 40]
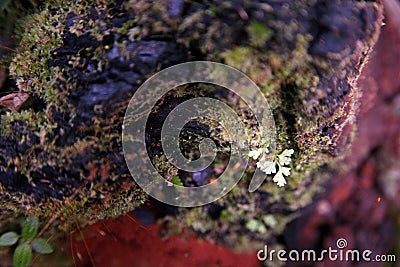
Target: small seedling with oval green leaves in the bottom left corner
[28, 242]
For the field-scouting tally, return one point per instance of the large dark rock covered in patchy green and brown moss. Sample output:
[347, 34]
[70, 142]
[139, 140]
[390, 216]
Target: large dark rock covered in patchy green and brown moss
[85, 61]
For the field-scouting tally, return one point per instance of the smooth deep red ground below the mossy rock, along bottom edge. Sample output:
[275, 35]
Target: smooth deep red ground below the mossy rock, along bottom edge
[126, 242]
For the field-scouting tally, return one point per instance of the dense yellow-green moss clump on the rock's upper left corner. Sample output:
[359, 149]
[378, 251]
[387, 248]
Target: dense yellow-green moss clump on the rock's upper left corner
[30, 64]
